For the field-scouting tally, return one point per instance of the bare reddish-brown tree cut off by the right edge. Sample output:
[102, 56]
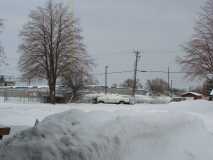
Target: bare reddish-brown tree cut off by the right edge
[199, 59]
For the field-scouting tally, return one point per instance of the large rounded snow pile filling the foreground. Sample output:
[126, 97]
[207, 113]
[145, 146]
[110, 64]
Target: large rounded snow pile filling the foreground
[121, 135]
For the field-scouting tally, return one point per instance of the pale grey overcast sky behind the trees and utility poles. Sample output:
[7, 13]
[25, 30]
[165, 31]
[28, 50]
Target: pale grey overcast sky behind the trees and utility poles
[113, 29]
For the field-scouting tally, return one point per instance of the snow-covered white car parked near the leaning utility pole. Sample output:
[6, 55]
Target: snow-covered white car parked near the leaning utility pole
[114, 99]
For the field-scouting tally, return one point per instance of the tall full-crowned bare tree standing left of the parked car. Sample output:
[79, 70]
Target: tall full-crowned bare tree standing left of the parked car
[51, 44]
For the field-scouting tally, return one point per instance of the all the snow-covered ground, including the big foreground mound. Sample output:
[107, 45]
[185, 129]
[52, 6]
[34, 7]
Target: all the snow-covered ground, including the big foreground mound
[174, 131]
